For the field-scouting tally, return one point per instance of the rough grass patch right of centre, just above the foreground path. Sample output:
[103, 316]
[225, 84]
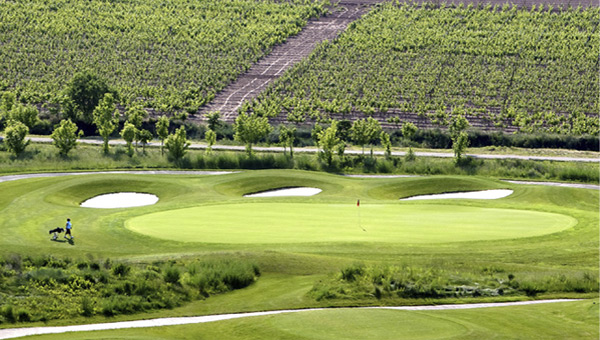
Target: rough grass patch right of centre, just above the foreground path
[375, 282]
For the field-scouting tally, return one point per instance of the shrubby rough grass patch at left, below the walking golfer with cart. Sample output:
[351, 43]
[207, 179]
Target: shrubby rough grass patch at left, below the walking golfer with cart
[42, 288]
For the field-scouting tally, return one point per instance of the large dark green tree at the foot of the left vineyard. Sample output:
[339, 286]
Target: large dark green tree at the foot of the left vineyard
[85, 91]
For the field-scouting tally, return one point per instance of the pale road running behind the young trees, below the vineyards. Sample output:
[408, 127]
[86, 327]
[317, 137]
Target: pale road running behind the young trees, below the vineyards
[200, 146]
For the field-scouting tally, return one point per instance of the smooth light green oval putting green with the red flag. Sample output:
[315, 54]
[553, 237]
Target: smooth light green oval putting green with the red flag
[306, 222]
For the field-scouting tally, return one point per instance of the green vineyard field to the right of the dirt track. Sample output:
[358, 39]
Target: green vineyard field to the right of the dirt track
[531, 70]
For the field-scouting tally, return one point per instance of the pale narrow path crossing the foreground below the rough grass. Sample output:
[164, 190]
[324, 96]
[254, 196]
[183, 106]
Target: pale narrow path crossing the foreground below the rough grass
[10, 333]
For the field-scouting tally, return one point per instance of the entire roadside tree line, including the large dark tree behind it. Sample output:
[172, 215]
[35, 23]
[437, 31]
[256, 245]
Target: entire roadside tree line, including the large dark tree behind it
[94, 101]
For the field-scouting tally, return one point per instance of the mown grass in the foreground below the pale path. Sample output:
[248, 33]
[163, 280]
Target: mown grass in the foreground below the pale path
[568, 320]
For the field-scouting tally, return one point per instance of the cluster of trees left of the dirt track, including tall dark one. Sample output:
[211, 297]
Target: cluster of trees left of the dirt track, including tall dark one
[88, 102]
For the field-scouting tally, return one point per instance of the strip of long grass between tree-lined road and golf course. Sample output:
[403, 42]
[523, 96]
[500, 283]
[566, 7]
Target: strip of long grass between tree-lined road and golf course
[44, 158]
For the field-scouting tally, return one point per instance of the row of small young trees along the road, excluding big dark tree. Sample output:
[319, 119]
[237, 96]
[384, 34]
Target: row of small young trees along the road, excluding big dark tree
[249, 130]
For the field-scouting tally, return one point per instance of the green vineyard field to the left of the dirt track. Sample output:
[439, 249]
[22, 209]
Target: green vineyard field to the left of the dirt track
[171, 54]
